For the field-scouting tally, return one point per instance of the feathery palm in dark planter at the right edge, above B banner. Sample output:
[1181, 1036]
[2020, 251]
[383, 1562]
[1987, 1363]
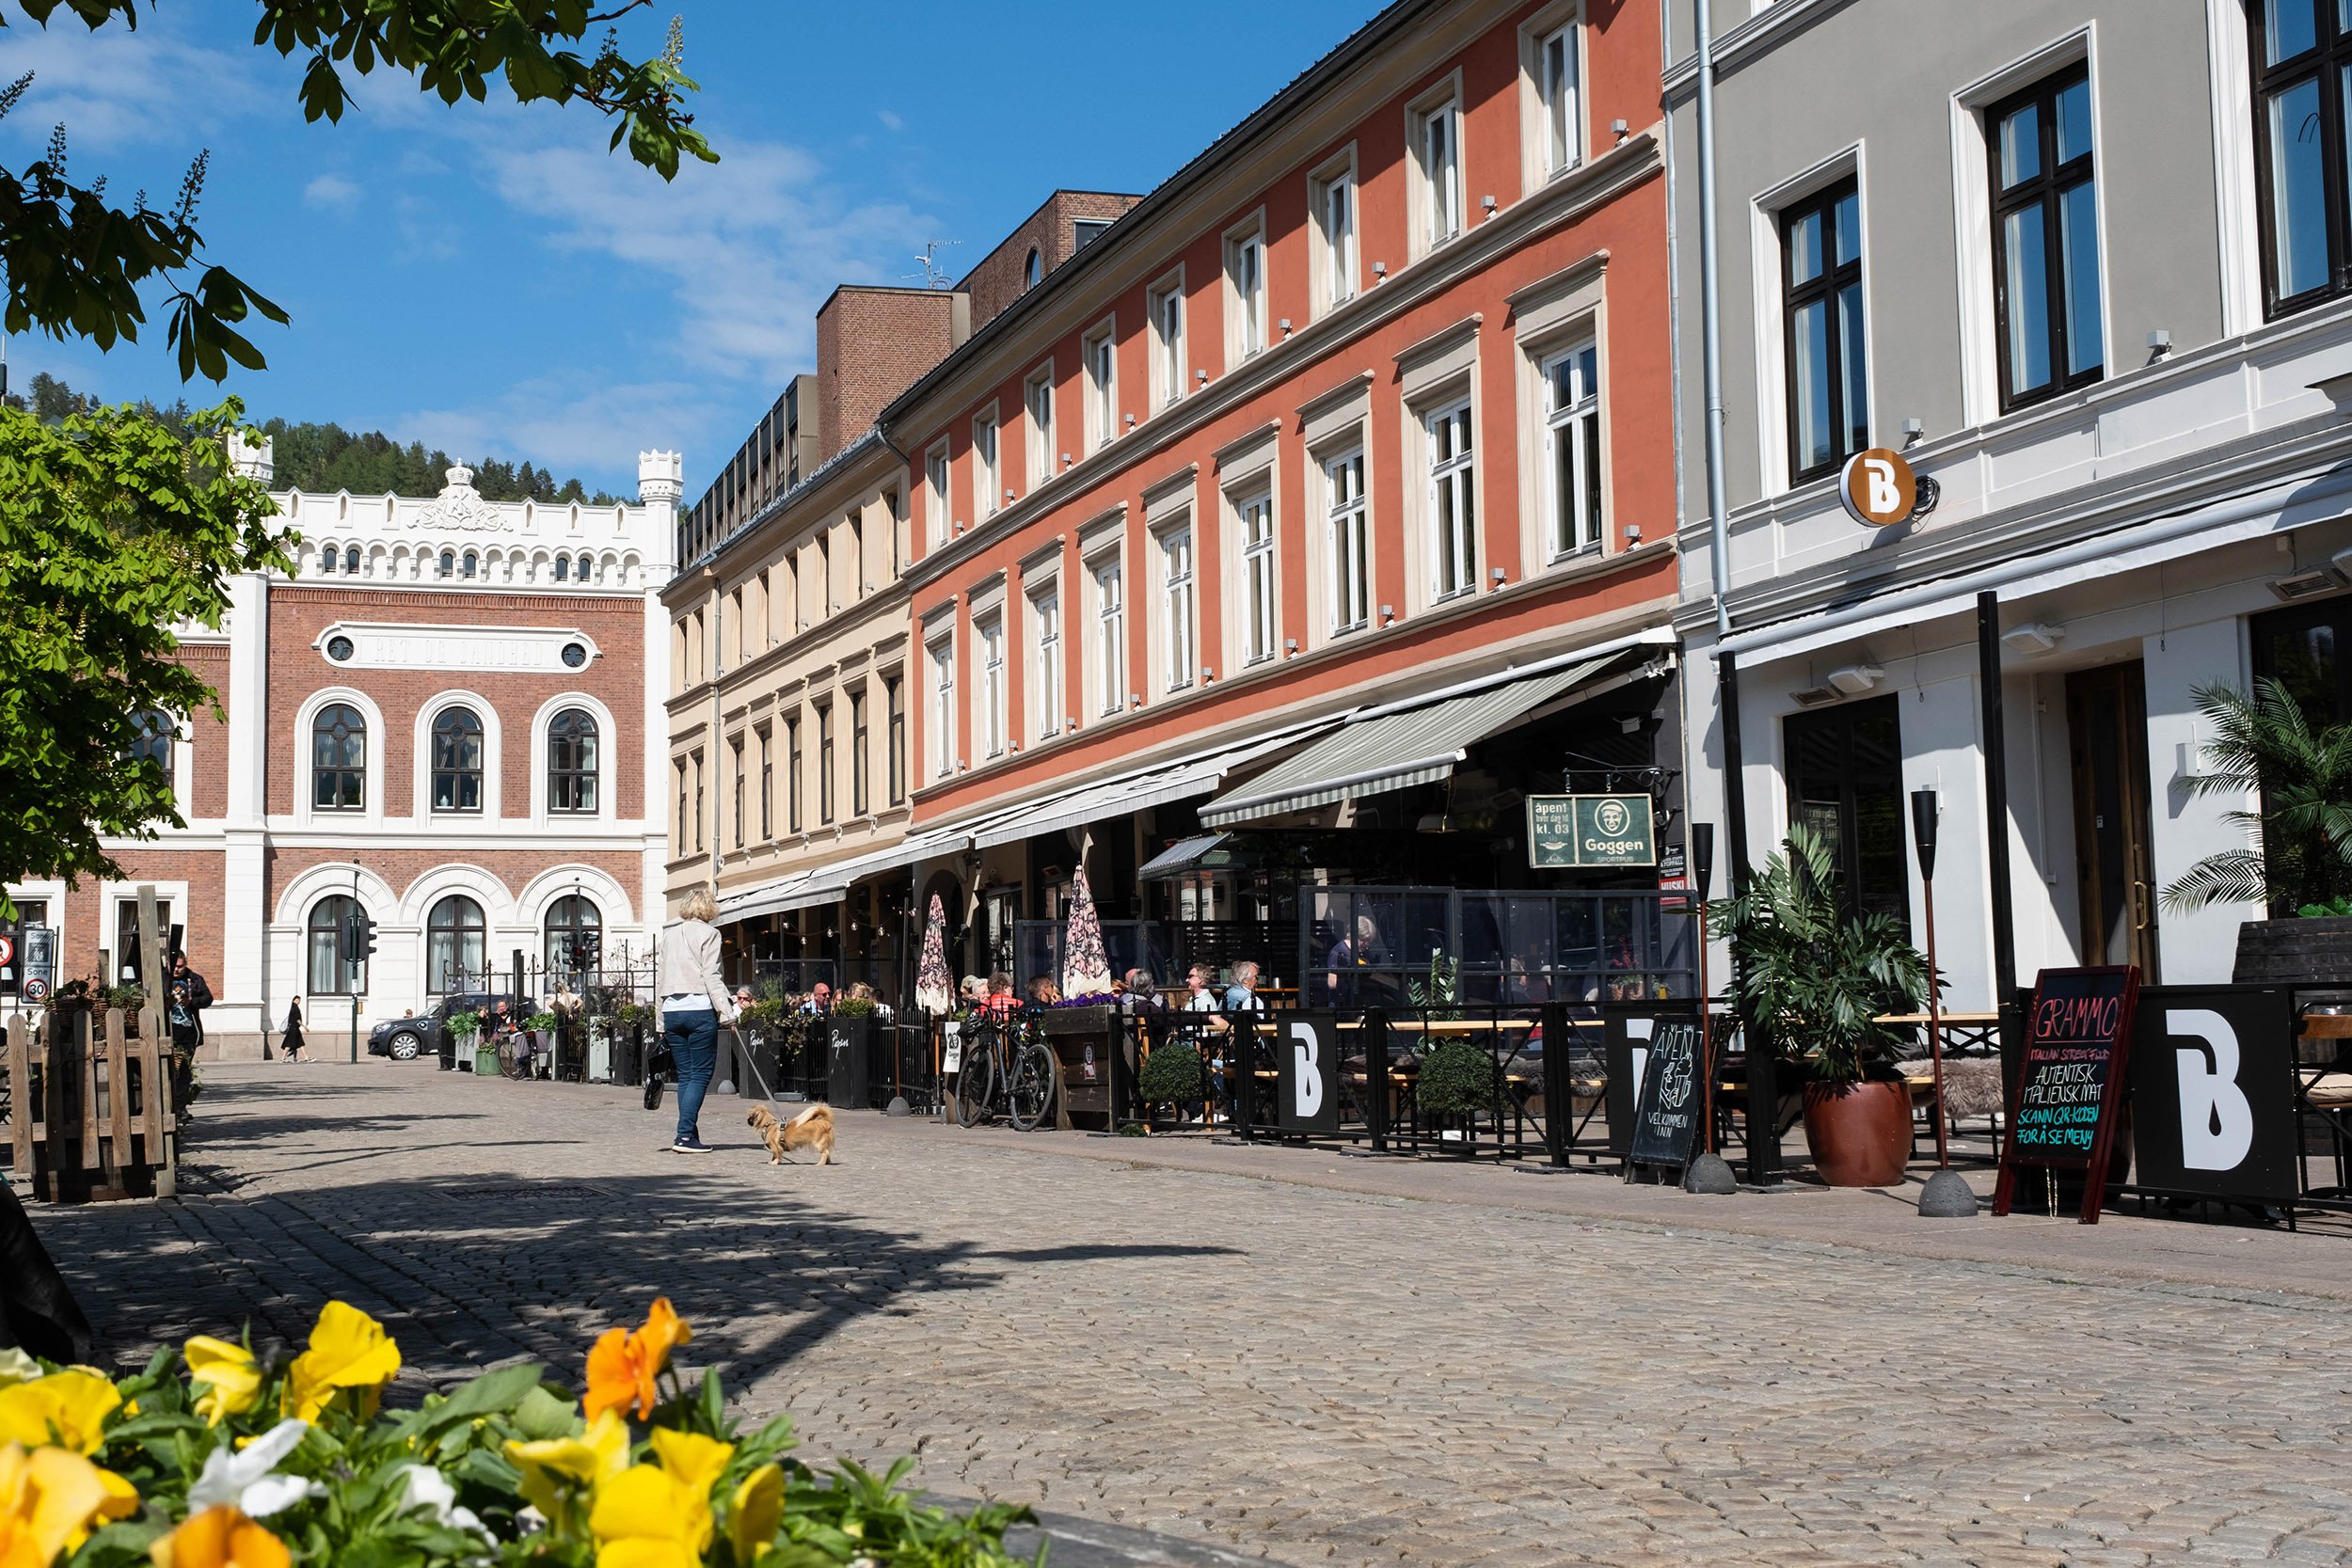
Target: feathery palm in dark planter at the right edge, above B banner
[2299, 843]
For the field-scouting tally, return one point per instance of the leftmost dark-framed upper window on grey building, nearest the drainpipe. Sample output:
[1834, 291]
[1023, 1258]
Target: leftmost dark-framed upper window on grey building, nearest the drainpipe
[1829, 394]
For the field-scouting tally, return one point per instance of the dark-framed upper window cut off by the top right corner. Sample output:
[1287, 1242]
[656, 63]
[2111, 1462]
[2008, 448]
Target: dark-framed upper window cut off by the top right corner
[2301, 83]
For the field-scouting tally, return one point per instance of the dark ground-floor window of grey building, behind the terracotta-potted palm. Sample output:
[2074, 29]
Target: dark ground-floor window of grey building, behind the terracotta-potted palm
[1845, 782]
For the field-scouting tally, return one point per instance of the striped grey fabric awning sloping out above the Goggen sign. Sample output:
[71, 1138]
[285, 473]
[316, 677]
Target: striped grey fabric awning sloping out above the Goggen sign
[1391, 749]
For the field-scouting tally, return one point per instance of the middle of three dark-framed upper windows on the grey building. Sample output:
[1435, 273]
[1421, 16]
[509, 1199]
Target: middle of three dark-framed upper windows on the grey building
[2045, 241]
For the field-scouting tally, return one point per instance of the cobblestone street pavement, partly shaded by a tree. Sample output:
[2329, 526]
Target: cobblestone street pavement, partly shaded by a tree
[1307, 1374]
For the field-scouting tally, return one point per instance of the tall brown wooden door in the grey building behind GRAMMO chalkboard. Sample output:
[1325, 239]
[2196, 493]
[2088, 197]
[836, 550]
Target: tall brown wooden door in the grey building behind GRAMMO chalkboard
[2113, 864]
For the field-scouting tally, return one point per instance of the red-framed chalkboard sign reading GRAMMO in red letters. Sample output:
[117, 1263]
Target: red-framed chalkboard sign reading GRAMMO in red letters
[2071, 1080]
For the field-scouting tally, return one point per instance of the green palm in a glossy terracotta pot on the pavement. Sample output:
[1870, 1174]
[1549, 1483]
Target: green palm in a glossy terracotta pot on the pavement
[1817, 974]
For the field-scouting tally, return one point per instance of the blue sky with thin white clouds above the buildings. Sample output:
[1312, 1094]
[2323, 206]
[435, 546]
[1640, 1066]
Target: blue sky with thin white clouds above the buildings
[490, 281]
